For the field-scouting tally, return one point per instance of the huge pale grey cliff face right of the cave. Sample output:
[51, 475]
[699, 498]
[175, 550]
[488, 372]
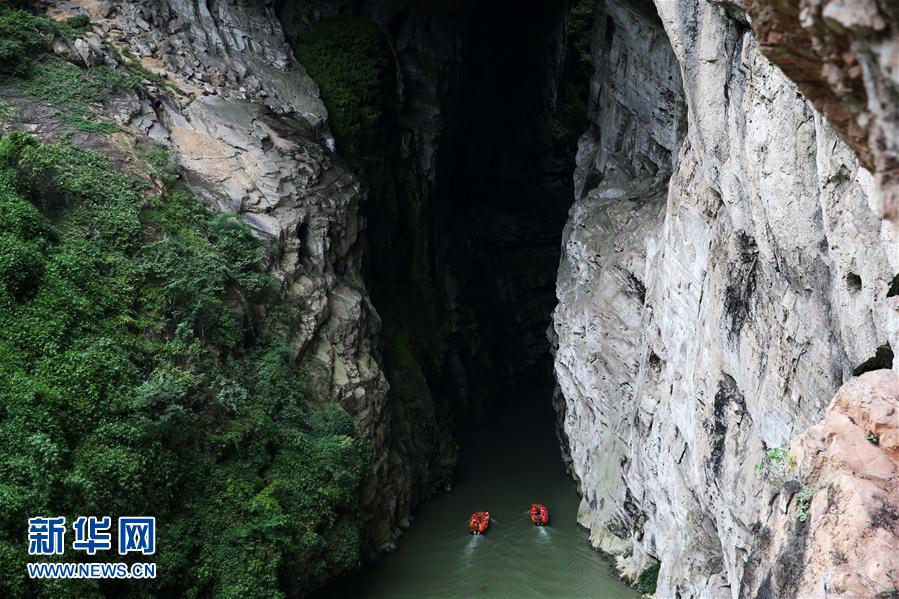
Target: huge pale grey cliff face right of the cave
[697, 330]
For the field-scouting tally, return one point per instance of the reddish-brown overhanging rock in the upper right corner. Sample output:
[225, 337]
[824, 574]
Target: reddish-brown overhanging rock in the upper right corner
[844, 56]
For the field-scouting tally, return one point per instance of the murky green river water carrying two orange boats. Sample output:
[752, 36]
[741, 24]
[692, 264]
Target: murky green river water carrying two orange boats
[504, 467]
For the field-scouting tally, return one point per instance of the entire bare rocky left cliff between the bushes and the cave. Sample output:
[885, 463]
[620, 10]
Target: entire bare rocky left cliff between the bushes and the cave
[254, 141]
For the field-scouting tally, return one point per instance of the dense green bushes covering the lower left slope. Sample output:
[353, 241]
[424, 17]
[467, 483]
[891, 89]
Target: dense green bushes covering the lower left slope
[139, 379]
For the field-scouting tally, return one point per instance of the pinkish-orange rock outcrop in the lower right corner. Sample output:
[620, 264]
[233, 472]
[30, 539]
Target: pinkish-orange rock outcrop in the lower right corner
[849, 544]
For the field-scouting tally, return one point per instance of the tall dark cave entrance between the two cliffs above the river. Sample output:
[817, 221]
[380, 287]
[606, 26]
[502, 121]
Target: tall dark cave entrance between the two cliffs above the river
[468, 250]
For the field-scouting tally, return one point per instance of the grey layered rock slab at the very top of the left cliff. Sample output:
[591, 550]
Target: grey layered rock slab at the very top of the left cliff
[236, 49]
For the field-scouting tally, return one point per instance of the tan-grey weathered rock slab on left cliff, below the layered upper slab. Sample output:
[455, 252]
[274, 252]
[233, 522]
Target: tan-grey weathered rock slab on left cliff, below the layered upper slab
[243, 158]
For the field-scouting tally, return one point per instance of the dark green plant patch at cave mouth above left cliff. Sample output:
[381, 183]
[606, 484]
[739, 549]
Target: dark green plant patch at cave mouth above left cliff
[350, 60]
